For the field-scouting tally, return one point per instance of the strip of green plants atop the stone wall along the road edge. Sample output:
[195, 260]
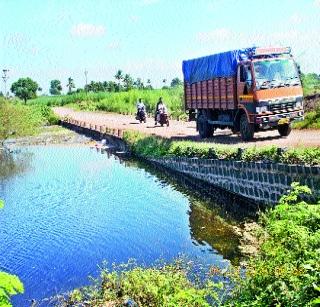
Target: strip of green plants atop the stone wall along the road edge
[152, 146]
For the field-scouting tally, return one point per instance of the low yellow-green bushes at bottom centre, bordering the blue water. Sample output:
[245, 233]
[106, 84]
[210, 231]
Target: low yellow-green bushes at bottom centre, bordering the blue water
[164, 285]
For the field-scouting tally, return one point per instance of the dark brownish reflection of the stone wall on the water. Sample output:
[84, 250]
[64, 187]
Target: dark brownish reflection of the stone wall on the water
[213, 211]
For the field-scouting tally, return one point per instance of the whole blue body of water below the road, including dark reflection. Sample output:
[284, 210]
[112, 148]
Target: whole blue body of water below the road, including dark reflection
[69, 208]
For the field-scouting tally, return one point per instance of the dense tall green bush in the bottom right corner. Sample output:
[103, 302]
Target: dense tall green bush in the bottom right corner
[286, 272]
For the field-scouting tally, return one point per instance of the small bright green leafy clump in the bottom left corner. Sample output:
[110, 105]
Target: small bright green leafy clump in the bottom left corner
[9, 285]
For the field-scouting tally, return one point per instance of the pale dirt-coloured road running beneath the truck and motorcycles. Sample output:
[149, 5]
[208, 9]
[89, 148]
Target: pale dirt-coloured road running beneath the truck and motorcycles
[186, 130]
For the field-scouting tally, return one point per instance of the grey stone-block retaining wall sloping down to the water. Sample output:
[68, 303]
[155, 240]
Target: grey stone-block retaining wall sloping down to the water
[263, 182]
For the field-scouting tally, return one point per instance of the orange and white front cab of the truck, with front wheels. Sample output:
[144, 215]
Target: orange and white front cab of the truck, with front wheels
[269, 92]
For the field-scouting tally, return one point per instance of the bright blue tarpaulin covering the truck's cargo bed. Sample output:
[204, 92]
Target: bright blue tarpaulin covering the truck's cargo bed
[213, 66]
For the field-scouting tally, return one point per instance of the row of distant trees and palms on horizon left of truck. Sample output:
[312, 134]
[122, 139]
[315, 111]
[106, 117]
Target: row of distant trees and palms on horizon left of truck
[26, 88]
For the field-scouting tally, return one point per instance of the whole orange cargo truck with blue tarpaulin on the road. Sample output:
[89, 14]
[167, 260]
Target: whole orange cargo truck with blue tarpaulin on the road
[245, 90]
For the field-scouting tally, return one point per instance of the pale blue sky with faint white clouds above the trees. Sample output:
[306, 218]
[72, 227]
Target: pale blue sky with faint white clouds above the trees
[48, 40]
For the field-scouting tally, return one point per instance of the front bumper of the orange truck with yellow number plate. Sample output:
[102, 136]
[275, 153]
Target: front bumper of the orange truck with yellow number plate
[273, 121]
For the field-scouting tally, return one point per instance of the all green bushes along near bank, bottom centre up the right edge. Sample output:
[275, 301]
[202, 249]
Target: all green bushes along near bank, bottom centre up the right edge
[285, 271]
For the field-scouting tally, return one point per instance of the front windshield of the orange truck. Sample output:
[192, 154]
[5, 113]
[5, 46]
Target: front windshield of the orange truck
[275, 73]
